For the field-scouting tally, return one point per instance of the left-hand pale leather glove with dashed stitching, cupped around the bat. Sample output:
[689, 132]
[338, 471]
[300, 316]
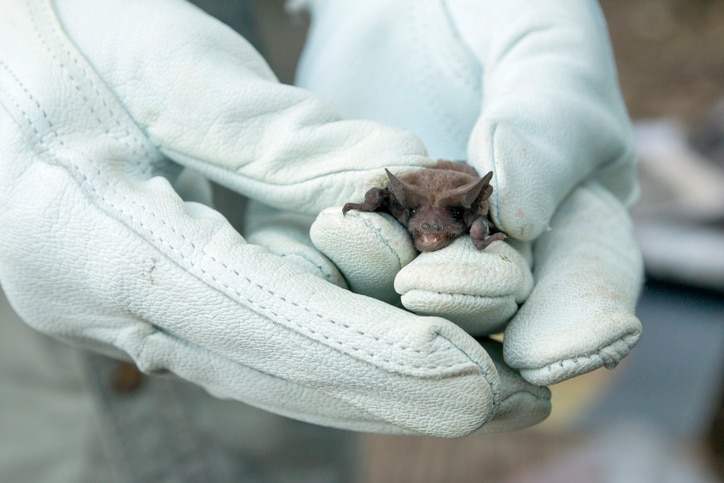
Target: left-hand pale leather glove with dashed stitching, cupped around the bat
[102, 104]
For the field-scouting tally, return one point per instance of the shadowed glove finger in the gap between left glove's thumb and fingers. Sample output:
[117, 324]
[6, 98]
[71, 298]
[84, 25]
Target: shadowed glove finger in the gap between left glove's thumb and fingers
[286, 235]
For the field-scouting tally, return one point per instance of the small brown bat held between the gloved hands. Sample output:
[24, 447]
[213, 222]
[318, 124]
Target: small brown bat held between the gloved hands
[437, 205]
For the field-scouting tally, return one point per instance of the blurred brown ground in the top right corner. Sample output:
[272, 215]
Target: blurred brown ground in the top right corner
[670, 55]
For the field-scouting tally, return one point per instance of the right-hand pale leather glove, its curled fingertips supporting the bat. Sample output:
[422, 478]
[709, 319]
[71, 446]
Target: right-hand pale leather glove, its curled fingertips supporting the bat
[526, 89]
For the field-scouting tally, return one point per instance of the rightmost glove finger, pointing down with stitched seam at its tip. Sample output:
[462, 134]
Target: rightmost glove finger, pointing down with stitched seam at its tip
[580, 315]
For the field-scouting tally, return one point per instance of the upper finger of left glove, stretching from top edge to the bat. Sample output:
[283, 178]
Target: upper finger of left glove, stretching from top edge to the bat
[207, 100]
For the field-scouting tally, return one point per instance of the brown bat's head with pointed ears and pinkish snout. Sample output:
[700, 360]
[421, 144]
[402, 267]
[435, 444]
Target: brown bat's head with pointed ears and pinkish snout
[433, 205]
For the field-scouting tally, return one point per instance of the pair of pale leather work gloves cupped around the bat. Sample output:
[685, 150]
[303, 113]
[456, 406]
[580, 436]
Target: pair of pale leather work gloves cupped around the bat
[104, 104]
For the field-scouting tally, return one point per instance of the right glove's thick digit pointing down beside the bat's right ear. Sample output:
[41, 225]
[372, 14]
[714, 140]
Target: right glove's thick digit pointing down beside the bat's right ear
[550, 101]
